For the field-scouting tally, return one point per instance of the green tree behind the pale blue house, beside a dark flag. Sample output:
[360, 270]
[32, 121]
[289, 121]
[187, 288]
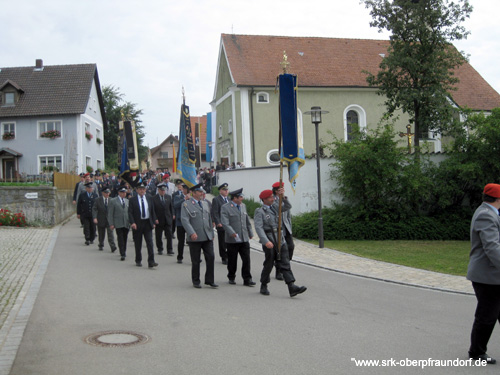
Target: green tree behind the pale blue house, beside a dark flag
[115, 105]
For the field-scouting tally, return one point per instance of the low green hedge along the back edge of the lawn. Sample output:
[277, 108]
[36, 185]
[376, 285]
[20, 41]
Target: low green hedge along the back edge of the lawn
[338, 224]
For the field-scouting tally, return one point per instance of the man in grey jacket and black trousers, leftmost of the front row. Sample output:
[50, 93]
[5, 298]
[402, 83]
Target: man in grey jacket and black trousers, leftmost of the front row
[196, 220]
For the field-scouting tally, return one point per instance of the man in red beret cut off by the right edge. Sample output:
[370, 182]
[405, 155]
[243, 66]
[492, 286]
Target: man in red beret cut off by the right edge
[484, 271]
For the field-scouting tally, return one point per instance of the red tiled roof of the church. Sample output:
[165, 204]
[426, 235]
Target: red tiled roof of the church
[254, 60]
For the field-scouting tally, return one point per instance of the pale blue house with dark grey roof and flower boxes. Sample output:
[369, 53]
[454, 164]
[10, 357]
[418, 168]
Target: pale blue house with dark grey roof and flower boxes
[50, 116]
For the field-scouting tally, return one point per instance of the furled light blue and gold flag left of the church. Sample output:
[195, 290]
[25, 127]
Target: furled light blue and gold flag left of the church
[187, 157]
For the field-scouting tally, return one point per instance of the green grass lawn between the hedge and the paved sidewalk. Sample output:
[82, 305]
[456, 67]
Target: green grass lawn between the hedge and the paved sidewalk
[451, 257]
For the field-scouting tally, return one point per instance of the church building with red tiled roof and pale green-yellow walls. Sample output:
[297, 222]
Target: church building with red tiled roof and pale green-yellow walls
[330, 75]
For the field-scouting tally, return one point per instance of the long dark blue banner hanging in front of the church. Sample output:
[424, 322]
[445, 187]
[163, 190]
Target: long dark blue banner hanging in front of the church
[292, 149]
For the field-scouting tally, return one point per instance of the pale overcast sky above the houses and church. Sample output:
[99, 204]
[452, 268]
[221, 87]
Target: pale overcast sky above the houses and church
[151, 49]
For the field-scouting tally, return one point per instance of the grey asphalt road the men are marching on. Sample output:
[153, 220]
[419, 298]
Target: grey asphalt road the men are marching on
[234, 329]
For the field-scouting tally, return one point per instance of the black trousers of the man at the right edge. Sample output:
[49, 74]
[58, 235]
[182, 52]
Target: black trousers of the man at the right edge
[485, 318]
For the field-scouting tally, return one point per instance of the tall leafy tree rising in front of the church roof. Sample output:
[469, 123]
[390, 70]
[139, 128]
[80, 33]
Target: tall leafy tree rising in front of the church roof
[417, 74]
